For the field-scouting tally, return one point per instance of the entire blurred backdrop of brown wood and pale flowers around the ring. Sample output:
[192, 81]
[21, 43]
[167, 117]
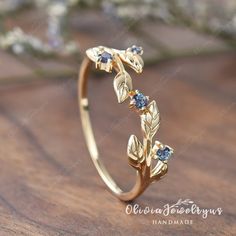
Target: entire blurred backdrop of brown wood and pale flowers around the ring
[47, 181]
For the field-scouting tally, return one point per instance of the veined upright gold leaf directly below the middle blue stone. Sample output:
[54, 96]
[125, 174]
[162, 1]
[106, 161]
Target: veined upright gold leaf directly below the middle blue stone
[150, 121]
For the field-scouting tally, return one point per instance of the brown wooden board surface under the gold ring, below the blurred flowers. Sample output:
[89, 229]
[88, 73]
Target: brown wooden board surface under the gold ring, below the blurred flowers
[49, 186]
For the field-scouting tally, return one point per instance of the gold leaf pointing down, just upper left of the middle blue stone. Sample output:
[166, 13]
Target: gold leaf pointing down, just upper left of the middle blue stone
[122, 85]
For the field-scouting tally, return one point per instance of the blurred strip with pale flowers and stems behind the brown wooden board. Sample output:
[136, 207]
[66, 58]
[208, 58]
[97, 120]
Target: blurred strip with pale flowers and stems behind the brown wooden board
[44, 37]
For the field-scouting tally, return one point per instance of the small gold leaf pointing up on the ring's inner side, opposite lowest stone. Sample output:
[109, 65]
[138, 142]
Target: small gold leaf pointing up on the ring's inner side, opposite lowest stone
[135, 151]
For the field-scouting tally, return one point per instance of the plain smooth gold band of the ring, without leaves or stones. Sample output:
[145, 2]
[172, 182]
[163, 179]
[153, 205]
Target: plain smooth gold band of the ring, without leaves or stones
[140, 184]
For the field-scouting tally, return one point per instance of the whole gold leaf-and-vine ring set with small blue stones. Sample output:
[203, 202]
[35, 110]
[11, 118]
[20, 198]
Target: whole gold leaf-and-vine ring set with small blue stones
[150, 160]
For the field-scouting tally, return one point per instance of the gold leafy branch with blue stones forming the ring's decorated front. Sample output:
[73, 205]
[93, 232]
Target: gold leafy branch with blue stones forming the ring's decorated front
[142, 155]
